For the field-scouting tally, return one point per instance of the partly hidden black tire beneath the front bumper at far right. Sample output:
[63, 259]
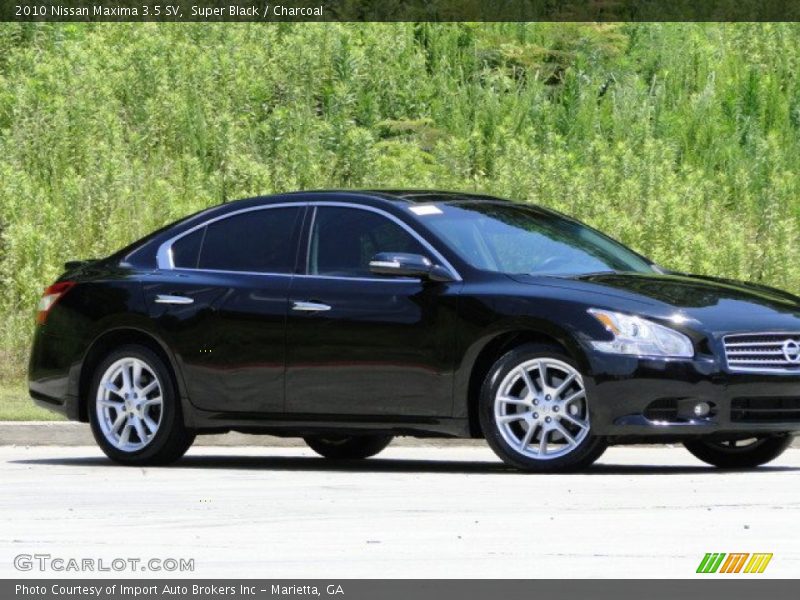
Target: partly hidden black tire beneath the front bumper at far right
[739, 454]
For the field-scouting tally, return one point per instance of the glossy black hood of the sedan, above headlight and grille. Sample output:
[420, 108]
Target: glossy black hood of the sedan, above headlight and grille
[720, 305]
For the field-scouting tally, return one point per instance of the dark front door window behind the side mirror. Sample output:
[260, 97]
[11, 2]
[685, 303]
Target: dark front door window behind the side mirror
[344, 240]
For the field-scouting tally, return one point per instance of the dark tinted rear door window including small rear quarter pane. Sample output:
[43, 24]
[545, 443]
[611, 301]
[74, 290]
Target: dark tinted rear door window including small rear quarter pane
[259, 240]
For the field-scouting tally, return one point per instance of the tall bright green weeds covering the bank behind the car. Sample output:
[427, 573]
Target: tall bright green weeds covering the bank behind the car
[680, 139]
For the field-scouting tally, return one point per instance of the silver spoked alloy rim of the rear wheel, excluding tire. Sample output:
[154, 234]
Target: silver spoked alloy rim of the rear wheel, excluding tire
[129, 404]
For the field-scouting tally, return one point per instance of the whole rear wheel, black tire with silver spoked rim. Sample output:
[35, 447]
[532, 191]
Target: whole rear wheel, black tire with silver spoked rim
[134, 409]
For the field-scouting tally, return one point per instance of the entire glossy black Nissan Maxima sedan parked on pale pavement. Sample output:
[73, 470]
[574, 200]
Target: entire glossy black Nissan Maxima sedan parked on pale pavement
[349, 317]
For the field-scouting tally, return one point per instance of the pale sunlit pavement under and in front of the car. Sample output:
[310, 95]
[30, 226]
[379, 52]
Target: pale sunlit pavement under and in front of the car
[450, 512]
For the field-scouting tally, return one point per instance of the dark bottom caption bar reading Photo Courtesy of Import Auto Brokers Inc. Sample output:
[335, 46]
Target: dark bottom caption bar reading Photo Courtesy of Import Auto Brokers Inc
[387, 589]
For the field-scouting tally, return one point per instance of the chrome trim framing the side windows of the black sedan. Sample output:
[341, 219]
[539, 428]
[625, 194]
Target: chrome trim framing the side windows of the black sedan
[164, 258]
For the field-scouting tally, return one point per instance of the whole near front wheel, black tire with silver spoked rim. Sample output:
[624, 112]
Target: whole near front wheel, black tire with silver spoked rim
[534, 411]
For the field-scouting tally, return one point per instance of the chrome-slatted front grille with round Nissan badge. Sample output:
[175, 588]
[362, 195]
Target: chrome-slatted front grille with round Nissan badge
[763, 351]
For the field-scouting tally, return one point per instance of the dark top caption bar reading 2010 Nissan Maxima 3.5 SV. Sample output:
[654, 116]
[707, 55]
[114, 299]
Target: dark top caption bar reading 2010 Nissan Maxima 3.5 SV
[398, 10]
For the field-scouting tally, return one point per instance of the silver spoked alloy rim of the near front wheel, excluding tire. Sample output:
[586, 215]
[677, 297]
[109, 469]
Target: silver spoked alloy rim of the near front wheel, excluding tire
[540, 409]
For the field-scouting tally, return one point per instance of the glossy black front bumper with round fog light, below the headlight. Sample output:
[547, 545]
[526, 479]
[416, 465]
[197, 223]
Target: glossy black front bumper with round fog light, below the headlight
[623, 391]
